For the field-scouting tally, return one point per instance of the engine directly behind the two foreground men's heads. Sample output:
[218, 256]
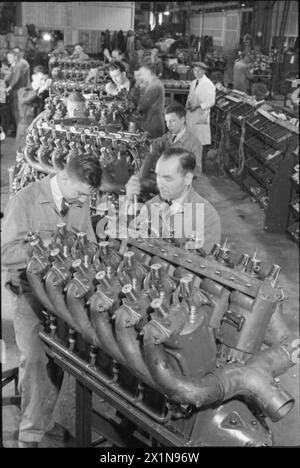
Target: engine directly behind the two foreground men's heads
[50, 141]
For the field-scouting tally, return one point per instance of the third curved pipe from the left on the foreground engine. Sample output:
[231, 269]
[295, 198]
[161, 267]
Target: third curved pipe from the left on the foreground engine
[76, 291]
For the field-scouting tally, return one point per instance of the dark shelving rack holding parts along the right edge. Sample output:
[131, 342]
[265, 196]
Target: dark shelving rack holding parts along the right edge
[268, 150]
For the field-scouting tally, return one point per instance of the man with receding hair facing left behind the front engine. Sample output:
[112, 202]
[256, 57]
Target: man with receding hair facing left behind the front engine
[178, 211]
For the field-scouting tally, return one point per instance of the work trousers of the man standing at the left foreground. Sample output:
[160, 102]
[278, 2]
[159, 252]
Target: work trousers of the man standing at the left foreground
[38, 393]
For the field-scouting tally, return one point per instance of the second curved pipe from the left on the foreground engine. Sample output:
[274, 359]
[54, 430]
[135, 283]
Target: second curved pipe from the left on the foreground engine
[53, 286]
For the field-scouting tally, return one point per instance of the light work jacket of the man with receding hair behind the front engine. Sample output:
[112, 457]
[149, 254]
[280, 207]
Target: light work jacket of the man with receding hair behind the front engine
[195, 219]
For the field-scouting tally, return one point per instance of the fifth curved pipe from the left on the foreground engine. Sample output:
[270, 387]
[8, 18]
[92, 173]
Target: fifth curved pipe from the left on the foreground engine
[127, 338]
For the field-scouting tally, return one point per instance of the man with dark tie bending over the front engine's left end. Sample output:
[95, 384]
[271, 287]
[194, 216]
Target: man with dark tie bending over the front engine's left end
[39, 207]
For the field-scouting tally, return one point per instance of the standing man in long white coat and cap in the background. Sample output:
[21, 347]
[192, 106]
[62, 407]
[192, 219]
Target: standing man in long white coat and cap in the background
[201, 98]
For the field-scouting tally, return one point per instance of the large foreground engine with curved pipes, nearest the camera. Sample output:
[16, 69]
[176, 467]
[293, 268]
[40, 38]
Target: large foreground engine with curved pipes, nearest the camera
[187, 349]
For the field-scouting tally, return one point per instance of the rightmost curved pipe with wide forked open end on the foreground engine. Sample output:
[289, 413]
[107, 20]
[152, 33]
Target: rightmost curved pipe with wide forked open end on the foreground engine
[254, 380]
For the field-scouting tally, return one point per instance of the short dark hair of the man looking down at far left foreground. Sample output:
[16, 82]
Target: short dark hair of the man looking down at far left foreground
[86, 168]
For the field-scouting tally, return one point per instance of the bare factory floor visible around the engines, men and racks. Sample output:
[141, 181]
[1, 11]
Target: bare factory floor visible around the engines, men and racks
[243, 226]
